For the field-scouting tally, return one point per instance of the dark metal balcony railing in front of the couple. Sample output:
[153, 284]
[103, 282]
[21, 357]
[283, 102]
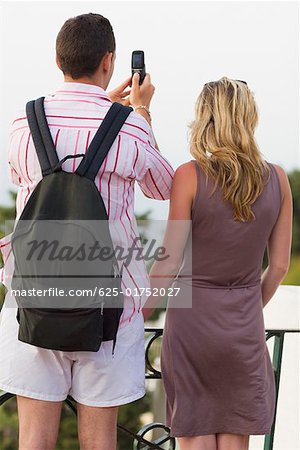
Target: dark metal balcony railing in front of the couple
[165, 441]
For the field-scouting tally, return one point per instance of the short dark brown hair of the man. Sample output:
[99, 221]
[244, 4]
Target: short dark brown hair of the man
[82, 42]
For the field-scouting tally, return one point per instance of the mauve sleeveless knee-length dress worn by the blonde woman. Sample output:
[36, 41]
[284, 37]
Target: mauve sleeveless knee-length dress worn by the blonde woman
[216, 368]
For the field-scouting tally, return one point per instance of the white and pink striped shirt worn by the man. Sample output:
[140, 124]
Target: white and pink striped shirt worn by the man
[74, 113]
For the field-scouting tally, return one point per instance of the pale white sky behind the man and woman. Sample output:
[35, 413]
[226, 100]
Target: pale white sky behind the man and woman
[186, 44]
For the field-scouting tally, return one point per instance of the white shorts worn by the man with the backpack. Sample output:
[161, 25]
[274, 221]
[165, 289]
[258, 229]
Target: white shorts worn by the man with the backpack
[91, 378]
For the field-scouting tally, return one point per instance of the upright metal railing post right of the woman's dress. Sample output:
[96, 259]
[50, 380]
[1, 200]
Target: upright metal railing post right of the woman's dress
[277, 361]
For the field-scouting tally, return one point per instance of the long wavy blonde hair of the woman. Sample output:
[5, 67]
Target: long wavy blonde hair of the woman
[222, 141]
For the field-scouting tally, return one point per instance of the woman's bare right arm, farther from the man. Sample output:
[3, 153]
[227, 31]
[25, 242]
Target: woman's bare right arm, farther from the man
[279, 244]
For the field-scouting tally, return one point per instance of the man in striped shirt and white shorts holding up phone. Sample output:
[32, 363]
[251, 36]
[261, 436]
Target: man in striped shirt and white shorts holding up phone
[99, 381]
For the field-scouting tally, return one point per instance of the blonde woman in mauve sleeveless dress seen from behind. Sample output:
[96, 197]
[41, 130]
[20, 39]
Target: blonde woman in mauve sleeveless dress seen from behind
[215, 363]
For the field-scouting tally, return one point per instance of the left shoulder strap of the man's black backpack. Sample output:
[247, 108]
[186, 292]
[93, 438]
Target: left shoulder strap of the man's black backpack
[41, 135]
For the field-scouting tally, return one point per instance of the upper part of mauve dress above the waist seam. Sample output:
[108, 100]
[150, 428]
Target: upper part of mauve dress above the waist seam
[226, 251]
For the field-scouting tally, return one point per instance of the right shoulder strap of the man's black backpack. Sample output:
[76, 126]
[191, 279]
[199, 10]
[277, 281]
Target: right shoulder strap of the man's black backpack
[103, 140]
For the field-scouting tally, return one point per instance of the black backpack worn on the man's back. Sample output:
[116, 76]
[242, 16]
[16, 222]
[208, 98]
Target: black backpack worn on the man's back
[64, 210]
